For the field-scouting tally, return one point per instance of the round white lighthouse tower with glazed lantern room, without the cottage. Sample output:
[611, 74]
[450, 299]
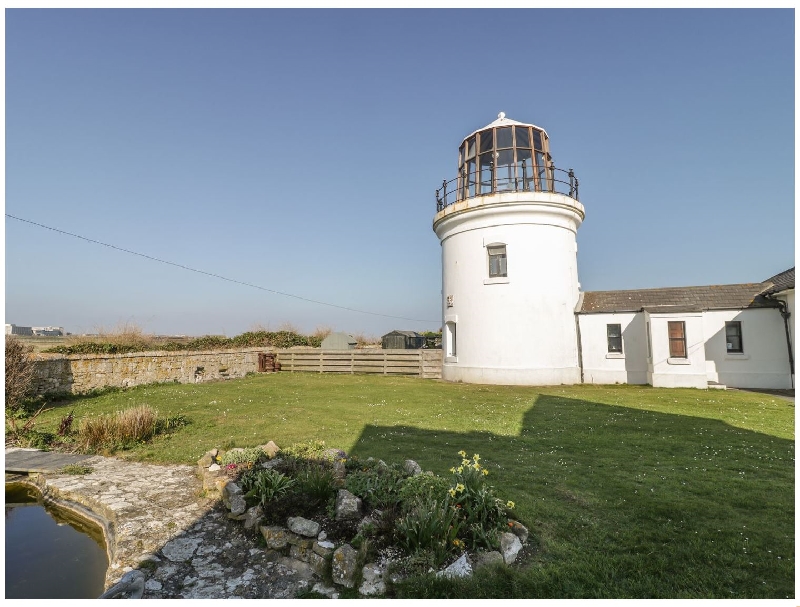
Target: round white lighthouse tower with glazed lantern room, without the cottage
[508, 225]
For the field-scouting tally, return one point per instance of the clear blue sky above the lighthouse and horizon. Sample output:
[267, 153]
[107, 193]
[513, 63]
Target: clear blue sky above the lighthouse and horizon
[299, 151]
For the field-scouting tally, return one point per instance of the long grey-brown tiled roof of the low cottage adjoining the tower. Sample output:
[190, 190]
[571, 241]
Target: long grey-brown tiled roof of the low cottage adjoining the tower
[677, 299]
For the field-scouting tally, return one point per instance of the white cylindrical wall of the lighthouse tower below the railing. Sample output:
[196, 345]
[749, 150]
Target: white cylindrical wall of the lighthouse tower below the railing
[519, 329]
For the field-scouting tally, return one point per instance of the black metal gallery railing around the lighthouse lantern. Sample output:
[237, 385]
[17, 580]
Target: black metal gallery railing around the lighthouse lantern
[486, 181]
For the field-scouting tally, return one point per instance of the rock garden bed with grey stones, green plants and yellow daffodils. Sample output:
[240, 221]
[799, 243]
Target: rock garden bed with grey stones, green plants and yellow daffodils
[363, 524]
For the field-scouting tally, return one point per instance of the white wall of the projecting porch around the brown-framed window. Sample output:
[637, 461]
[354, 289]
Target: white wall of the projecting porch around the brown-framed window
[667, 372]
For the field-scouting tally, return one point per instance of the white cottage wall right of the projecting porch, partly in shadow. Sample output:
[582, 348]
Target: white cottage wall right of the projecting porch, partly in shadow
[764, 362]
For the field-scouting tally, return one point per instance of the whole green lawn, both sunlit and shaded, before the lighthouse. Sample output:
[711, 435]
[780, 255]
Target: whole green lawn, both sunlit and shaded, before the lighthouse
[629, 492]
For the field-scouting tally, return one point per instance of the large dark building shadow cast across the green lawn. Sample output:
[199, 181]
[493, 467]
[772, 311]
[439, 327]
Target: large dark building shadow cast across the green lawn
[623, 502]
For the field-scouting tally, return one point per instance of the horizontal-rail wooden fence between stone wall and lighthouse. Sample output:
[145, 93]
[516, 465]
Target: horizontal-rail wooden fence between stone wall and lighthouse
[421, 363]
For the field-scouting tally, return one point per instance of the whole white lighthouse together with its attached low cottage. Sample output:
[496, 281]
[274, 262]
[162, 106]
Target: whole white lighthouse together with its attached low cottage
[512, 311]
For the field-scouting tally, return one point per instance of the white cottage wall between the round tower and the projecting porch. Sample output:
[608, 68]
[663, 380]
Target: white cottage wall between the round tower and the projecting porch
[603, 367]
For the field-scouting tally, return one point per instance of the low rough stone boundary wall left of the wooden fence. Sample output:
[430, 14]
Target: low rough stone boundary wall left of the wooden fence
[83, 373]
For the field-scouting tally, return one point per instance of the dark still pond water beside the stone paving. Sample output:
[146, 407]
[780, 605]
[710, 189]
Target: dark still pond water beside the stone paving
[50, 553]
